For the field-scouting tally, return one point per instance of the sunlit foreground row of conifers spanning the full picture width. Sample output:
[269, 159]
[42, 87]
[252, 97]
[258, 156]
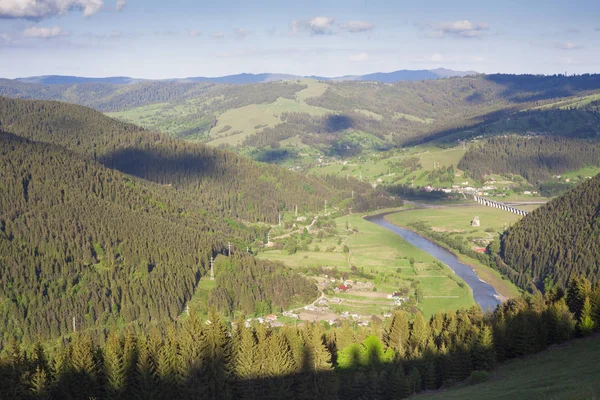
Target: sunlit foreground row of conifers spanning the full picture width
[207, 360]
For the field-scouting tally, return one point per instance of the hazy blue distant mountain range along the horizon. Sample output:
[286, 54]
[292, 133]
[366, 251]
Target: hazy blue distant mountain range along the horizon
[385, 77]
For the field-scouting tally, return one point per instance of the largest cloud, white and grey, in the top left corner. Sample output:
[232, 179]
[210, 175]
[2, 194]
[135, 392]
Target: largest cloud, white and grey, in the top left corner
[38, 9]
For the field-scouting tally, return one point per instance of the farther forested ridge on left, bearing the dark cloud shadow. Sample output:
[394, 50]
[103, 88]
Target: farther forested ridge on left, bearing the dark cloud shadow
[222, 182]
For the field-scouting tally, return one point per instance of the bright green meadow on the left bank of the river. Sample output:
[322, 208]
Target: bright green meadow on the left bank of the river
[387, 257]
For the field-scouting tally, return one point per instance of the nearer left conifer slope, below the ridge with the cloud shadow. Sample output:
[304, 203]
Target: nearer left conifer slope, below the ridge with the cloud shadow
[84, 245]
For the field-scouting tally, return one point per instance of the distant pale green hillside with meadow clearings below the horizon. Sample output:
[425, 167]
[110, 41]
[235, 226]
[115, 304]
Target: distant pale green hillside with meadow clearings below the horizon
[327, 116]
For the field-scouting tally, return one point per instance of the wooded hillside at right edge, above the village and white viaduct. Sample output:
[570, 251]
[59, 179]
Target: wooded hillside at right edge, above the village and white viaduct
[534, 158]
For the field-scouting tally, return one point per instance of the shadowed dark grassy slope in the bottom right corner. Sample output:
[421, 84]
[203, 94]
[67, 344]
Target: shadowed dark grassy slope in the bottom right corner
[568, 372]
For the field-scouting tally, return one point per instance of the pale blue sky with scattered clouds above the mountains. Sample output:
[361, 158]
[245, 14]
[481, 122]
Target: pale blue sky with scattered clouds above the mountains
[157, 39]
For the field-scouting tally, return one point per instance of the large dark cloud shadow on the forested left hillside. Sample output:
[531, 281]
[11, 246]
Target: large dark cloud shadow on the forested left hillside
[165, 165]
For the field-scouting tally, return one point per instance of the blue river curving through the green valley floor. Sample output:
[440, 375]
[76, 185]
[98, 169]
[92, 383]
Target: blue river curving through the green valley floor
[485, 295]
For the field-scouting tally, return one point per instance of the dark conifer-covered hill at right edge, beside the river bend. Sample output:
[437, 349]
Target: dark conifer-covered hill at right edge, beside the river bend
[558, 241]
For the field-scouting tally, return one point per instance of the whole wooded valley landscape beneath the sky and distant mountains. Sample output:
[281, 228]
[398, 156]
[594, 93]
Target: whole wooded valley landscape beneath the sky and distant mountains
[330, 228]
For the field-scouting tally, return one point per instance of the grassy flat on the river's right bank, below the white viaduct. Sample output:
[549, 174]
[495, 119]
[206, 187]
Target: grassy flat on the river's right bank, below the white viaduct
[456, 221]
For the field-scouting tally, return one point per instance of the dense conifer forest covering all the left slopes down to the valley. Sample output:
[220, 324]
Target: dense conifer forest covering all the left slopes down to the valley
[83, 244]
